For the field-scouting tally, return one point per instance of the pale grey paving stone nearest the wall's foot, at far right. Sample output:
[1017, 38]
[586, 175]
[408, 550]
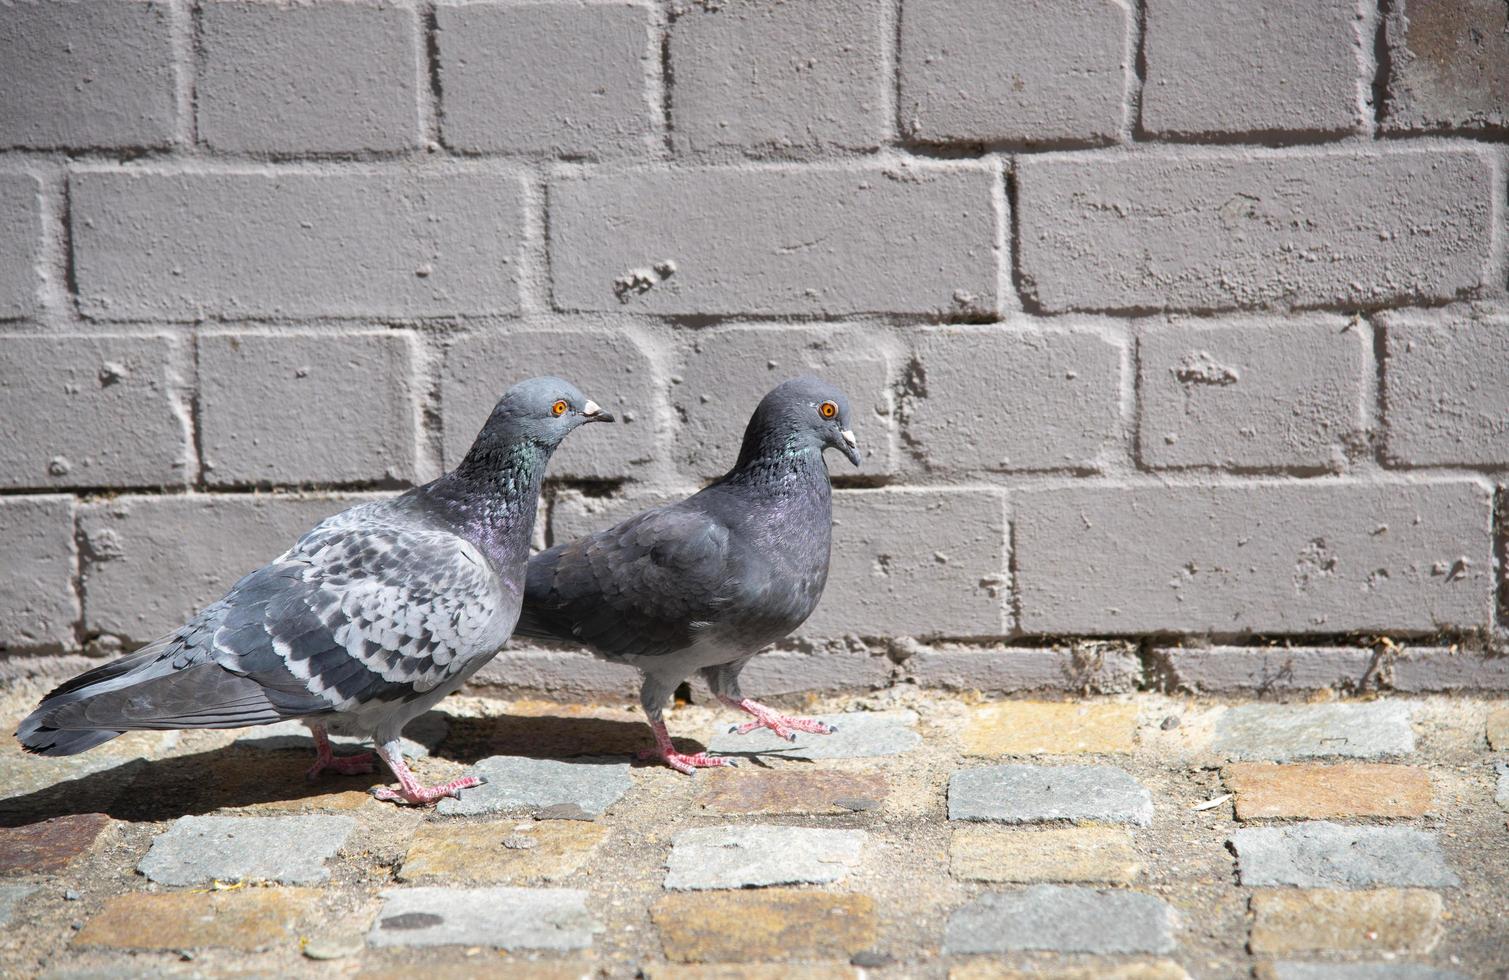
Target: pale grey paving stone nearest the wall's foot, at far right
[1283, 733]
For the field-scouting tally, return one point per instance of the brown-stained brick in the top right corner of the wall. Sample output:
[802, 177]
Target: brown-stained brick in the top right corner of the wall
[1448, 66]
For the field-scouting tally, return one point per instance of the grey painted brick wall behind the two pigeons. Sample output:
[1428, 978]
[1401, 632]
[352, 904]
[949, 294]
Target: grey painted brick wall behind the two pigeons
[1170, 342]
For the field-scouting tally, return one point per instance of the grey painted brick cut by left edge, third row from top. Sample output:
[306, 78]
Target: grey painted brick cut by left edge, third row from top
[94, 411]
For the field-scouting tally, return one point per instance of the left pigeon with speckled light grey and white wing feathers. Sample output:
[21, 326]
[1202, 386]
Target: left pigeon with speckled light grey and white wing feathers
[364, 624]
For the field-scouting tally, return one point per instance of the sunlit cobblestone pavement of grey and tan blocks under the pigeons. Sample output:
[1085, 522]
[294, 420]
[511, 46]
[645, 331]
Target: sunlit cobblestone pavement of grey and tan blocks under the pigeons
[1142, 837]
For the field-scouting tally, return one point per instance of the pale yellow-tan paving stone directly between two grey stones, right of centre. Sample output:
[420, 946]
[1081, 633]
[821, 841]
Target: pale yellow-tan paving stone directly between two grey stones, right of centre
[1057, 855]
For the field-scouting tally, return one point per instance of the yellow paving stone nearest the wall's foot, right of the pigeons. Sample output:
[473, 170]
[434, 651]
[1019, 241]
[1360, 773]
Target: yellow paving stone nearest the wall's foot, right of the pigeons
[1050, 729]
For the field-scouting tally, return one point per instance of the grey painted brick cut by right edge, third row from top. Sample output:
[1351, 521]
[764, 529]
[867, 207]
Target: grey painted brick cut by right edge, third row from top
[1445, 396]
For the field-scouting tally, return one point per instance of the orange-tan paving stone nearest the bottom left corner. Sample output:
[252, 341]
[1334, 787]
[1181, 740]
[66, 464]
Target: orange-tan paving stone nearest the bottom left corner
[250, 920]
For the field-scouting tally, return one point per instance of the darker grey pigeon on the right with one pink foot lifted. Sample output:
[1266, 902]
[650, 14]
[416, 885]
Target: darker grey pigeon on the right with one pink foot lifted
[704, 584]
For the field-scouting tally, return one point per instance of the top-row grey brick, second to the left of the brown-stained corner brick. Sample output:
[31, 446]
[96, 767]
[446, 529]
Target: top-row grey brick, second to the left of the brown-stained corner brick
[1015, 72]
